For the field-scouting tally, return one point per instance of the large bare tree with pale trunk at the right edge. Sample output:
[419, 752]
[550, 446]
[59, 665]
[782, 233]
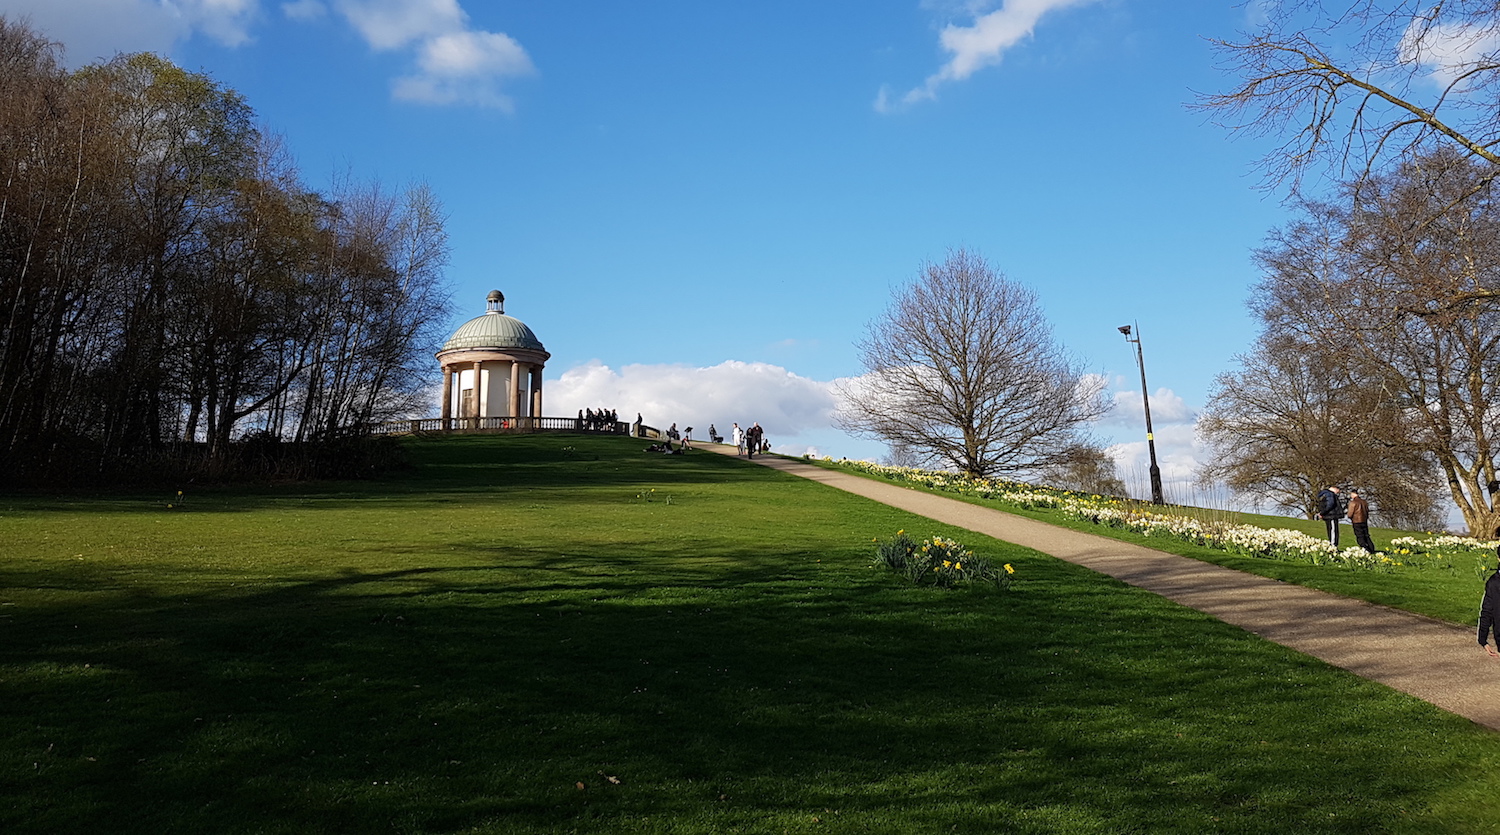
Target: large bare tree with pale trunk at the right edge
[1379, 287]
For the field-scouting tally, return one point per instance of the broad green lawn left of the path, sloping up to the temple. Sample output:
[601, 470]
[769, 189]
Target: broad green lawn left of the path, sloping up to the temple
[521, 636]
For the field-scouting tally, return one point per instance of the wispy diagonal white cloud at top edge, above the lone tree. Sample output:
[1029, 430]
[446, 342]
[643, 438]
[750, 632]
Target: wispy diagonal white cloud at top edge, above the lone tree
[977, 46]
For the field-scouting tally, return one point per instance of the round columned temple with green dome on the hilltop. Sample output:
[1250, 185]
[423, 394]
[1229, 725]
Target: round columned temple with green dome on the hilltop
[493, 373]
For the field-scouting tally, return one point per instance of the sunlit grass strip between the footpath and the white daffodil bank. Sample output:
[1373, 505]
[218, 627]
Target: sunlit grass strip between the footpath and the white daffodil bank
[1448, 593]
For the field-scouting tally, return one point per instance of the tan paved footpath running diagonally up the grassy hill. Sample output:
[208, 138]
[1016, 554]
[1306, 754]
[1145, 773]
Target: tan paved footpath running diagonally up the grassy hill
[1432, 660]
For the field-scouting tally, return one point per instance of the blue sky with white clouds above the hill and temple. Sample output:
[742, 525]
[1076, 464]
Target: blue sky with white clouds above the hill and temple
[700, 206]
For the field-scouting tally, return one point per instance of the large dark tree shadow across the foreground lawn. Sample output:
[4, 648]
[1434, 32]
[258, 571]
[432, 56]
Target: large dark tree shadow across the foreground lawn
[775, 695]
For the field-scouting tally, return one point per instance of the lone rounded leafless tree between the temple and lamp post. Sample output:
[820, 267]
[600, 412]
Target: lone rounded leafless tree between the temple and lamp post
[962, 371]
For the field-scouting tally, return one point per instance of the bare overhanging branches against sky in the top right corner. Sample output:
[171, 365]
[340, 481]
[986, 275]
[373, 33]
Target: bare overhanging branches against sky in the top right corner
[1360, 85]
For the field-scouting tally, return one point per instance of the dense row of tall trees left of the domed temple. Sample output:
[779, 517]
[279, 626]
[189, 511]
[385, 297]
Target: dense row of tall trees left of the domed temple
[167, 281]
